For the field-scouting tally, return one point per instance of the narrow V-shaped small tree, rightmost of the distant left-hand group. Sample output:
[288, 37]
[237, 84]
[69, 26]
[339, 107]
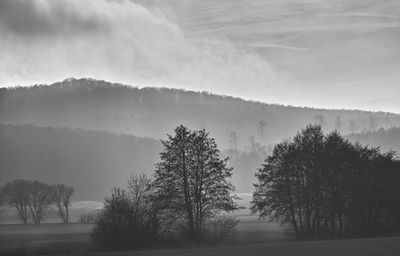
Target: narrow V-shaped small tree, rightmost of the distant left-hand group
[62, 198]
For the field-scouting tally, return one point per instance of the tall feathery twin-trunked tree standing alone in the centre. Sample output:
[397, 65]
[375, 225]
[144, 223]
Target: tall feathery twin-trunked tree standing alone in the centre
[192, 179]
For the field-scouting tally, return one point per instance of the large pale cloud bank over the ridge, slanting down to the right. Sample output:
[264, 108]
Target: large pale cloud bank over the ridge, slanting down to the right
[44, 41]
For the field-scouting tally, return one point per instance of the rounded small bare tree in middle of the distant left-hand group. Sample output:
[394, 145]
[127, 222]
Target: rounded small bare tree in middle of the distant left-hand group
[40, 200]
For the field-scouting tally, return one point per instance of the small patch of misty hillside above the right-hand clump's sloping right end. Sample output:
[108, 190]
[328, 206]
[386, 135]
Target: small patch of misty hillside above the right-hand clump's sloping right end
[386, 139]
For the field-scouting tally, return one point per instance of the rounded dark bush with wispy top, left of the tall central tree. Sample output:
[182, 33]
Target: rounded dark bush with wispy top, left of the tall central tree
[129, 219]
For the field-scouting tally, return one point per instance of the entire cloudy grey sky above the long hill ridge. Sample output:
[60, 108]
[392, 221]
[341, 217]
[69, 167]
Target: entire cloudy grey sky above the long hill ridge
[317, 53]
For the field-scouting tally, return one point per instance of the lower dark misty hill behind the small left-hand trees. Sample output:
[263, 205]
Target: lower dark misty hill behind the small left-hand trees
[92, 161]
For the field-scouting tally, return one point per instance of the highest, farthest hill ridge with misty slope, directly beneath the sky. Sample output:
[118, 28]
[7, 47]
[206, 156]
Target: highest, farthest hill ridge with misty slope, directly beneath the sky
[152, 112]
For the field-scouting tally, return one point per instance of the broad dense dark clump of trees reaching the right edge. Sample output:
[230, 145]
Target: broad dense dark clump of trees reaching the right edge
[324, 186]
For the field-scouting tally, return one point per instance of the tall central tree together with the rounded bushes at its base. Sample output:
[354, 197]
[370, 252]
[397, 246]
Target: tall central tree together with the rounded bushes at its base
[183, 203]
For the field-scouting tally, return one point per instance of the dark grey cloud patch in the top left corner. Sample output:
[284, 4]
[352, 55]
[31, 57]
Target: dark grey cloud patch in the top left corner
[41, 18]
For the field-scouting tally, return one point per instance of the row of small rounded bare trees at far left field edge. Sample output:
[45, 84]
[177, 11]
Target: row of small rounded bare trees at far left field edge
[33, 199]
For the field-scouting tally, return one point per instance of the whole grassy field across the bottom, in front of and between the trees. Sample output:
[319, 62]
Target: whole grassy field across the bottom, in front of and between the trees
[250, 237]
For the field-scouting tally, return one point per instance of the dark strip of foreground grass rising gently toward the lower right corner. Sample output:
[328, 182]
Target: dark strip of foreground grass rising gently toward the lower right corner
[388, 246]
